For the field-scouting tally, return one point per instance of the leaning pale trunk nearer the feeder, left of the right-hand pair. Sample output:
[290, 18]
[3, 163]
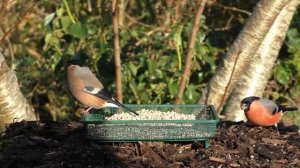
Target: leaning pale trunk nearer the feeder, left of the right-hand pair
[244, 47]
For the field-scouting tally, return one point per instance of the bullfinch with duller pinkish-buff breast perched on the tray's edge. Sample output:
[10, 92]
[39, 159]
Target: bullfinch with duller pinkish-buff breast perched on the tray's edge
[87, 89]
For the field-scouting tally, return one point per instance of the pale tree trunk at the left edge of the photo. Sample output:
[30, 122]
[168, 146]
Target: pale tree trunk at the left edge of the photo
[13, 105]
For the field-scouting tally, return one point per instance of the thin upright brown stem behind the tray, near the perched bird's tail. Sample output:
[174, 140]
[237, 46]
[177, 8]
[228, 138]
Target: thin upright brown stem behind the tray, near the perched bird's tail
[114, 8]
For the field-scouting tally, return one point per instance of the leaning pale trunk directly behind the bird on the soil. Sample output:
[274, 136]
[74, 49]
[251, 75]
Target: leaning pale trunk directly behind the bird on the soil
[255, 78]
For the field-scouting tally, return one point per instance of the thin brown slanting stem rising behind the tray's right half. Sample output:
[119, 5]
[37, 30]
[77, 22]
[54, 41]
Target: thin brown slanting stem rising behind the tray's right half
[189, 54]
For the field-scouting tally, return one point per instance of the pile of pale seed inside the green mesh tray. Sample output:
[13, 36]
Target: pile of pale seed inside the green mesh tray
[146, 114]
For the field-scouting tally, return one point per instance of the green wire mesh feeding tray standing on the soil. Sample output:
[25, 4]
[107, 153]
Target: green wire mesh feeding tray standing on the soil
[199, 129]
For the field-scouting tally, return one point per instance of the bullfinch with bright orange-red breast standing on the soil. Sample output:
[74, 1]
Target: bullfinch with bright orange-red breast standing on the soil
[263, 112]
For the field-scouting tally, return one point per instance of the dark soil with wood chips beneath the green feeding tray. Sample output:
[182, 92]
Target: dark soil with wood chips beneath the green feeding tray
[46, 145]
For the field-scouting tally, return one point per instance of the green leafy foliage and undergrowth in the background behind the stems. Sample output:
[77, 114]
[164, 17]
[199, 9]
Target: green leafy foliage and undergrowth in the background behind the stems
[153, 39]
